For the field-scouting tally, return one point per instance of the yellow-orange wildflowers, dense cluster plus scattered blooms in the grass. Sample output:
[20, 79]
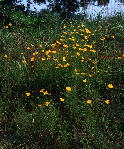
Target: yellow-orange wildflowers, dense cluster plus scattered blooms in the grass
[75, 50]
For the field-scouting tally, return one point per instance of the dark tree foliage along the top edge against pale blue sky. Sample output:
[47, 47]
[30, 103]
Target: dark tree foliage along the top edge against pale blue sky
[63, 7]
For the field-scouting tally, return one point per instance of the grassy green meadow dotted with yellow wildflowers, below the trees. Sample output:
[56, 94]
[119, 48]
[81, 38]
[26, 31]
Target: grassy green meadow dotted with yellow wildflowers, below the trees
[61, 83]
